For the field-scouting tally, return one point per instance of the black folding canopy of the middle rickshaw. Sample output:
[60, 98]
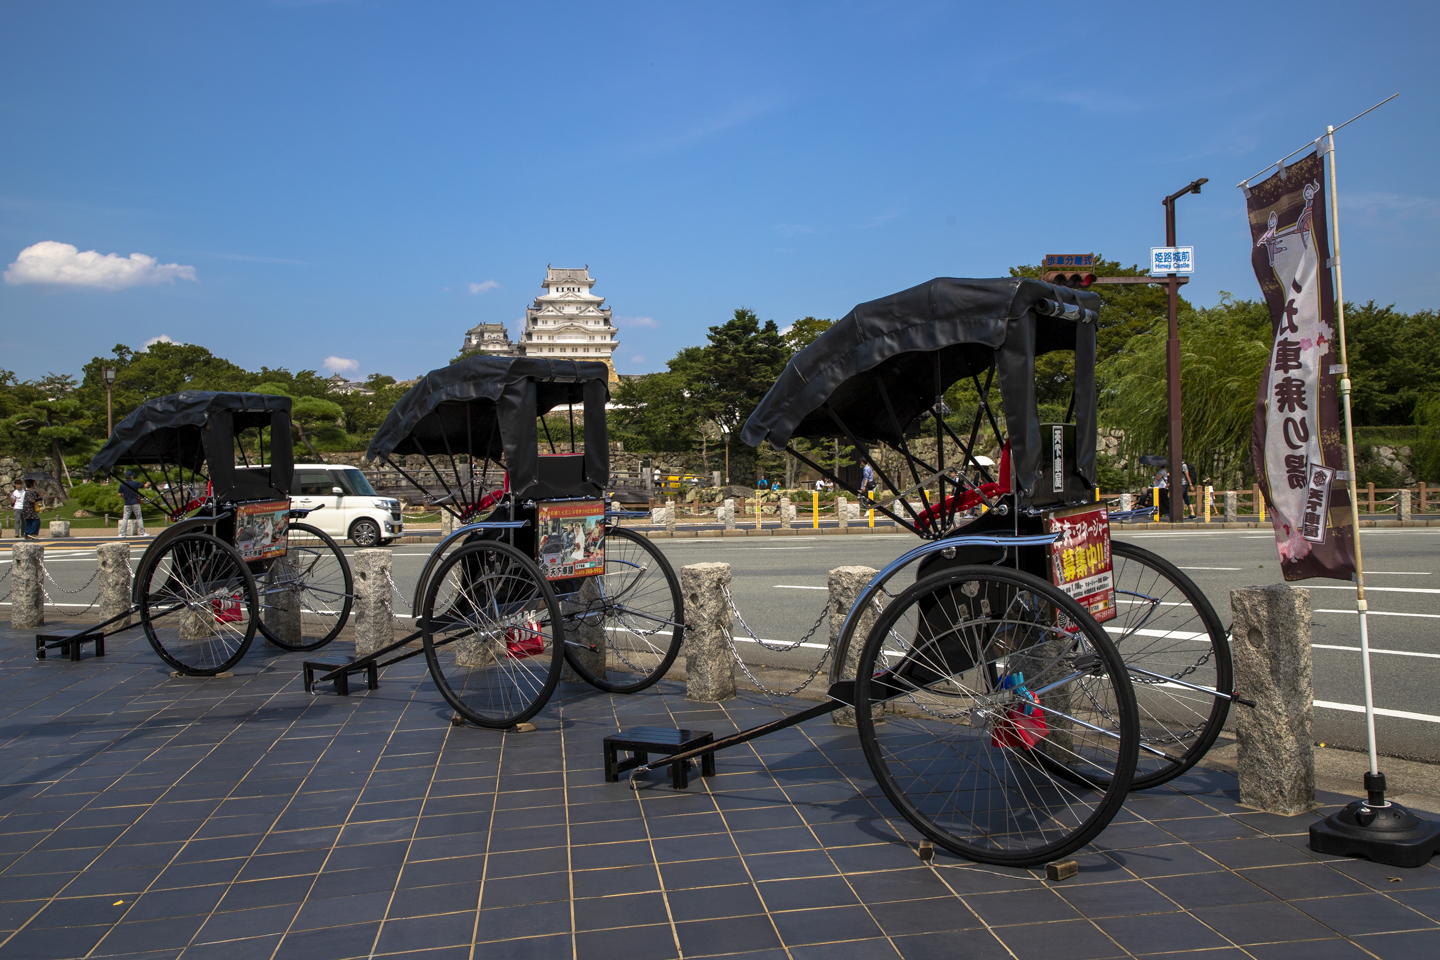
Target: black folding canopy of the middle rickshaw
[487, 408]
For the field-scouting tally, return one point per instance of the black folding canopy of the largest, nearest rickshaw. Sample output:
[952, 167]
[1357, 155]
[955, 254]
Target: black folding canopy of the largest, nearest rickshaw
[891, 361]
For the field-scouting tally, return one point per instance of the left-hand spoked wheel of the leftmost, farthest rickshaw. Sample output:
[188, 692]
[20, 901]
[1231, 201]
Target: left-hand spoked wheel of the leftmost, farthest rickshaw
[198, 604]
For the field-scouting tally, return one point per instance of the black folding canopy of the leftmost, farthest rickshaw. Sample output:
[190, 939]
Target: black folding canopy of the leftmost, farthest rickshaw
[195, 431]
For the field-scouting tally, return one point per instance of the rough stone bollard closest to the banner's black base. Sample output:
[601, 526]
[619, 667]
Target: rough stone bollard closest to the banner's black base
[1271, 644]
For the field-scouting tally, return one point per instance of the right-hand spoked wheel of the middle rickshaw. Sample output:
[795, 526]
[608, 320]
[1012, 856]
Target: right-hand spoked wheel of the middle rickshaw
[634, 615]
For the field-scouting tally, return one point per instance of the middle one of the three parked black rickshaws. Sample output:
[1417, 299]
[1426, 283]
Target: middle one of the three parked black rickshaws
[536, 574]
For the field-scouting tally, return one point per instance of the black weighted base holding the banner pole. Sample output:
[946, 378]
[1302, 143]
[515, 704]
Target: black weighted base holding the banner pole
[1377, 830]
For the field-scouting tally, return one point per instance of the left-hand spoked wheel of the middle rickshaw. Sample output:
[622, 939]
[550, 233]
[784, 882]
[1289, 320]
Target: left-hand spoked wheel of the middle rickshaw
[490, 631]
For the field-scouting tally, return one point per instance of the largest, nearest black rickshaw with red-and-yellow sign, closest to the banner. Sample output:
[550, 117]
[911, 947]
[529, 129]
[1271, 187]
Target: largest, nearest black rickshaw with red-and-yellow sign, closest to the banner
[999, 715]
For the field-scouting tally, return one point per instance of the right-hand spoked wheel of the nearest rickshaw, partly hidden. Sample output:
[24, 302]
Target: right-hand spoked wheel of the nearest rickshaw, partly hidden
[1179, 656]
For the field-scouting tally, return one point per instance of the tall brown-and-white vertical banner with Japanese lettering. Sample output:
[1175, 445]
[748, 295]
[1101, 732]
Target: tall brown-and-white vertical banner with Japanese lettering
[1297, 441]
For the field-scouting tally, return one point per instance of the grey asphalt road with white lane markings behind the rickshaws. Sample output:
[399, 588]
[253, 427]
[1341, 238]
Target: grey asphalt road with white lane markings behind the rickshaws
[780, 588]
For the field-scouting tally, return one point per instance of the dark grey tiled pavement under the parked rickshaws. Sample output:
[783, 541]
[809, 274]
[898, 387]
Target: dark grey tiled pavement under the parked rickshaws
[148, 817]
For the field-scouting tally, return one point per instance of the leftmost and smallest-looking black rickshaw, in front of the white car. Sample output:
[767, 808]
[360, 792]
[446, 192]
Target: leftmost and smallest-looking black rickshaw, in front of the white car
[234, 559]
